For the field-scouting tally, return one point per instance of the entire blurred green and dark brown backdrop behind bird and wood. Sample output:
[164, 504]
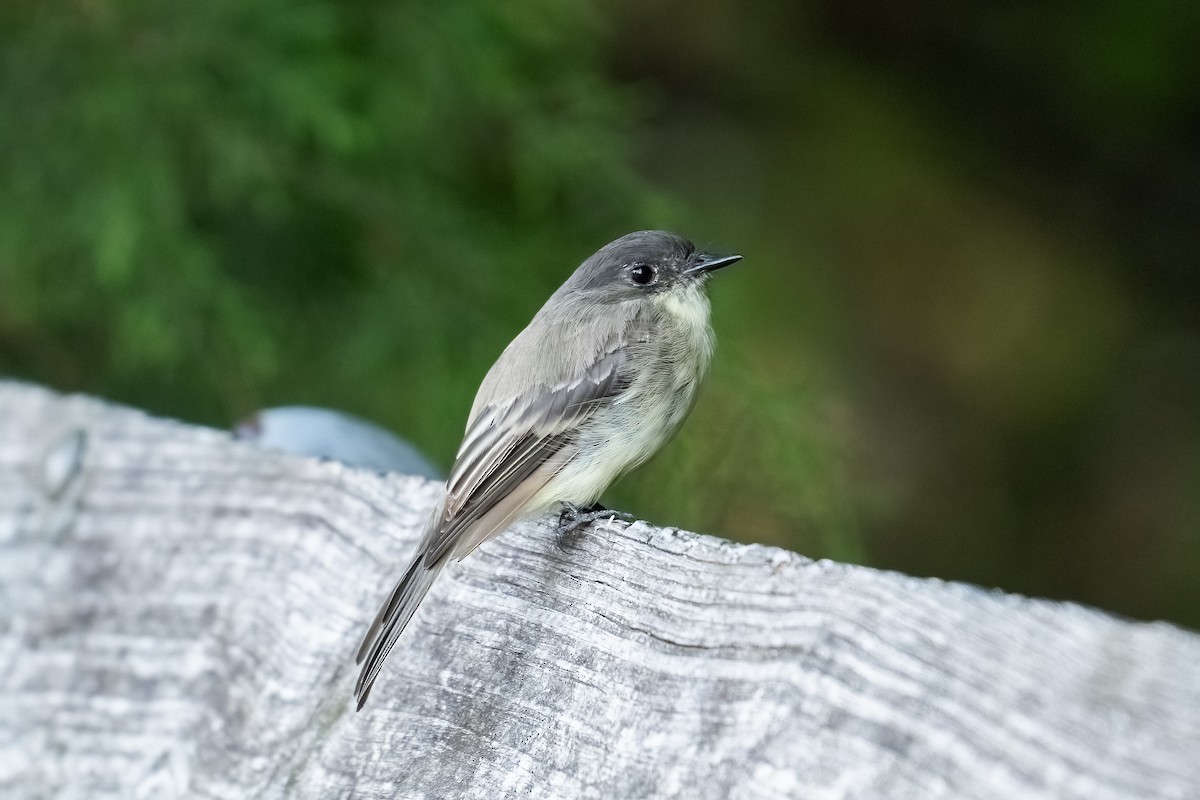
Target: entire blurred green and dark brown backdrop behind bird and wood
[965, 341]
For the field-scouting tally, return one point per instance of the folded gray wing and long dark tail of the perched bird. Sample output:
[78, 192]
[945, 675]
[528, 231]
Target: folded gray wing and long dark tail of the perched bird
[509, 454]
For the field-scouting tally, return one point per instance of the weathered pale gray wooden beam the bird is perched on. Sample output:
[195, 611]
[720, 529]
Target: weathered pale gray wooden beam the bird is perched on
[179, 613]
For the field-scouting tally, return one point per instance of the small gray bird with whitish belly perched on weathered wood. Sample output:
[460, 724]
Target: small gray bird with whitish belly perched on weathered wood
[599, 381]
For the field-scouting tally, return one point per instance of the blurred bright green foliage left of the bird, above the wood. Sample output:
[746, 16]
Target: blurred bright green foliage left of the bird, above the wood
[208, 207]
